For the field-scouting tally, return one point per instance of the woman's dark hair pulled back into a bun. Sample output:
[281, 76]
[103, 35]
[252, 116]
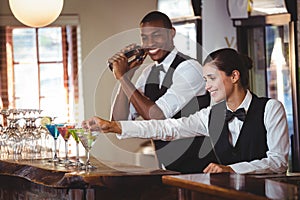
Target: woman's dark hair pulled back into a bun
[228, 59]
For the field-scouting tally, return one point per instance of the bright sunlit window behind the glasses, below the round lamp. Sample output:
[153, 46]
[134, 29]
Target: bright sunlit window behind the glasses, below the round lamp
[41, 70]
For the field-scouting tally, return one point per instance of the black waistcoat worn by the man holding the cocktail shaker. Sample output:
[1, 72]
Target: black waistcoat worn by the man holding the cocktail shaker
[179, 155]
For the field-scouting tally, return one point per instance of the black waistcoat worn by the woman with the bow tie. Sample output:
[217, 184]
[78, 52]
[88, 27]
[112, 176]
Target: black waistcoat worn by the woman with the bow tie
[252, 141]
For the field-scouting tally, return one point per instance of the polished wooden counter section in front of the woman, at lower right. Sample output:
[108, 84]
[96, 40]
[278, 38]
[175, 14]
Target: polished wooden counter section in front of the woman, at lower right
[232, 186]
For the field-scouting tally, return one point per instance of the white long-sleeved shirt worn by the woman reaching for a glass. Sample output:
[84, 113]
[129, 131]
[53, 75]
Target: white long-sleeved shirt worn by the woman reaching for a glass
[197, 124]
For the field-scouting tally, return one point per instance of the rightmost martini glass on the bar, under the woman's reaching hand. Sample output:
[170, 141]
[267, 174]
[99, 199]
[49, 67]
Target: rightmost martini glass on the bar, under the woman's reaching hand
[88, 139]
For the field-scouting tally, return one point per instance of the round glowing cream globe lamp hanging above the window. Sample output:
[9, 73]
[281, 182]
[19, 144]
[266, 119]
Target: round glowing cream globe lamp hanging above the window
[36, 13]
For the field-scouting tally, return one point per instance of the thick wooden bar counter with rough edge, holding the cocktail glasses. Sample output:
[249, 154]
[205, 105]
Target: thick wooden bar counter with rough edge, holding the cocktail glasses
[39, 179]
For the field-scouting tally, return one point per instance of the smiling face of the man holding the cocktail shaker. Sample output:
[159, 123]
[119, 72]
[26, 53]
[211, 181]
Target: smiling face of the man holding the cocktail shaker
[157, 40]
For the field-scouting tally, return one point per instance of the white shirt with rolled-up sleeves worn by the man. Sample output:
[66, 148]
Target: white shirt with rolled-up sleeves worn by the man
[187, 82]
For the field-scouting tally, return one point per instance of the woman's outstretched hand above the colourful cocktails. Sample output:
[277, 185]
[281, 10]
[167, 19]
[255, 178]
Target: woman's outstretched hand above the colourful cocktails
[101, 125]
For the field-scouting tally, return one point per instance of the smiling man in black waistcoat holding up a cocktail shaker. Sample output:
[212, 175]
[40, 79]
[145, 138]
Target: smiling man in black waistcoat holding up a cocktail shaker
[171, 87]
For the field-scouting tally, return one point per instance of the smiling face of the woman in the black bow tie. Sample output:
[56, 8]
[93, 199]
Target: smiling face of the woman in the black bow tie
[217, 83]
